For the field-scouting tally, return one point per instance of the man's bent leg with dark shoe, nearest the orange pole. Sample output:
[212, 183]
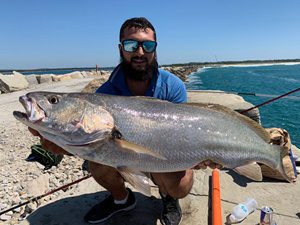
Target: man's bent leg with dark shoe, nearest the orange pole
[173, 186]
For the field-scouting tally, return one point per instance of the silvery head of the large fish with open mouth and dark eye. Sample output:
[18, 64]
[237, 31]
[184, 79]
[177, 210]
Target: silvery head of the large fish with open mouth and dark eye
[66, 118]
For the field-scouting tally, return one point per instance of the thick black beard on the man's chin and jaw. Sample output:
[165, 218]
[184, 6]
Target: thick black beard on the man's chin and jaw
[141, 74]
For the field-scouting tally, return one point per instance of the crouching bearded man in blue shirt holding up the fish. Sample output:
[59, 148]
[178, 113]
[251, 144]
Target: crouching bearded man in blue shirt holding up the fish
[138, 74]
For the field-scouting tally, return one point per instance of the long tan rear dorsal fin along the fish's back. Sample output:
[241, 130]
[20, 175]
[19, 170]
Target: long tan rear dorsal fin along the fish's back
[256, 127]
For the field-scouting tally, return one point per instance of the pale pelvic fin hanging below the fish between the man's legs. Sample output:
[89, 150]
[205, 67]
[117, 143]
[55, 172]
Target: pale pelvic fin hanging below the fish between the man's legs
[136, 179]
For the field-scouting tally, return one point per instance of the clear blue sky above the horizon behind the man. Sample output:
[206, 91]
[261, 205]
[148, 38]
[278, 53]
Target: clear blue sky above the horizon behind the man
[83, 33]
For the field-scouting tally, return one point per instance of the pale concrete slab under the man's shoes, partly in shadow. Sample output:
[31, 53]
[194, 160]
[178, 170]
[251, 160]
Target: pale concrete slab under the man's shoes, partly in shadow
[283, 197]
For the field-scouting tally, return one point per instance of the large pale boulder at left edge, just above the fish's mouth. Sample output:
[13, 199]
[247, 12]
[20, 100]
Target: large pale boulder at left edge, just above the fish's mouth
[14, 82]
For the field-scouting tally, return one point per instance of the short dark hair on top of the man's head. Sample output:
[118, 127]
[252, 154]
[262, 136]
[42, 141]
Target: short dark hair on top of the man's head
[137, 22]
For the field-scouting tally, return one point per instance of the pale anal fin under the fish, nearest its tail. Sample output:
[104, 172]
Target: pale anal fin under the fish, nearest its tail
[251, 171]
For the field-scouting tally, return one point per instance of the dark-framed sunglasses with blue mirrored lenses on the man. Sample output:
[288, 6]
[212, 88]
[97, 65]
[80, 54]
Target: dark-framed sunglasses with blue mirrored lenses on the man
[132, 45]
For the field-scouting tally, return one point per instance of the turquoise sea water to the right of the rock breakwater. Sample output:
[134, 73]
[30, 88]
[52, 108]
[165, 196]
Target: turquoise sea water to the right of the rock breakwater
[266, 82]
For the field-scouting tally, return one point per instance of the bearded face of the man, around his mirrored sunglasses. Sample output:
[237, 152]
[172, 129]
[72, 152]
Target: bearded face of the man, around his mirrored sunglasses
[139, 61]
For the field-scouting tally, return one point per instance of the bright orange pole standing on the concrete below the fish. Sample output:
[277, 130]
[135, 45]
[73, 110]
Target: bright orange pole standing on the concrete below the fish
[216, 198]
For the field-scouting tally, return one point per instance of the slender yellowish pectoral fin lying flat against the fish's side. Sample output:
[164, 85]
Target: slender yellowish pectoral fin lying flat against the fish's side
[128, 146]
